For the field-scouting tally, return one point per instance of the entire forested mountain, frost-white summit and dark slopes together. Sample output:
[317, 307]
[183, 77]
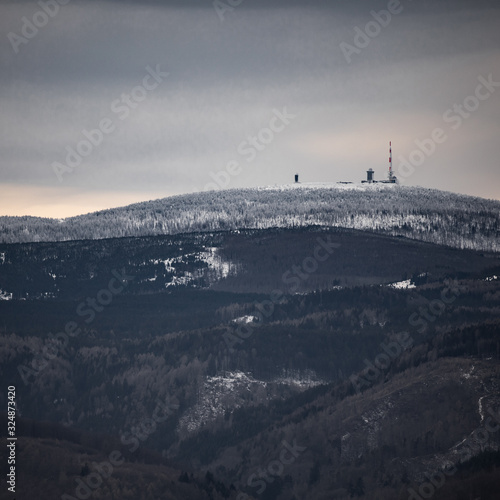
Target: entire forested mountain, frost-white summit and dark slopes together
[298, 361]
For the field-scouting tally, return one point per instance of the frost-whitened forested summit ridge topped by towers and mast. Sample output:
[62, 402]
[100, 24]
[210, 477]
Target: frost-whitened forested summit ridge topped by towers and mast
[425, 214]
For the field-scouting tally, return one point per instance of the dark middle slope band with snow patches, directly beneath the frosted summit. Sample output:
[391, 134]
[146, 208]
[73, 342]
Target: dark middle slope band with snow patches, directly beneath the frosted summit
[249, 261]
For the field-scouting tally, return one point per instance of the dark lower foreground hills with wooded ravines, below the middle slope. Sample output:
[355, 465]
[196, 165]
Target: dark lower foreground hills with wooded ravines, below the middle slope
[175, 397]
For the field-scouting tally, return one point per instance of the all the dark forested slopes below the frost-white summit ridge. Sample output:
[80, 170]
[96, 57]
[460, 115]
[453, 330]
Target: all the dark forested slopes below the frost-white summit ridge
[200, 388]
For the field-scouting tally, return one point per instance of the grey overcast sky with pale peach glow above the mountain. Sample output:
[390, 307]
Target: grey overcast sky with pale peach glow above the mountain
[264, 90]
